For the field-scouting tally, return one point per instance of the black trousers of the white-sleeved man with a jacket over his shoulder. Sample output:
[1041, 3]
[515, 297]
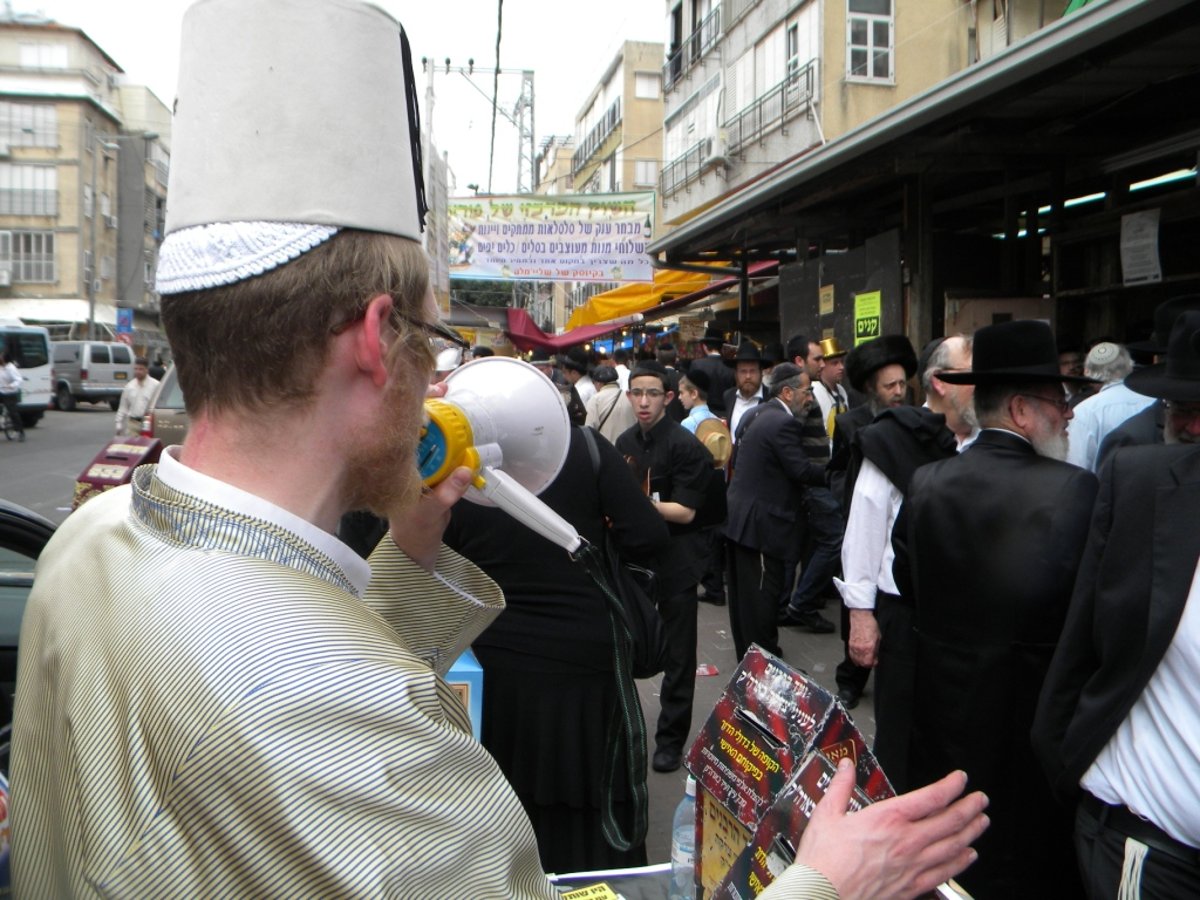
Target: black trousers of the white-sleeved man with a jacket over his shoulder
[895, 692]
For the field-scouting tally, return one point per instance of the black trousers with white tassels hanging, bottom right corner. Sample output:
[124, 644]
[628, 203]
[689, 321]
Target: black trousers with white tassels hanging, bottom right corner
[1101, 850]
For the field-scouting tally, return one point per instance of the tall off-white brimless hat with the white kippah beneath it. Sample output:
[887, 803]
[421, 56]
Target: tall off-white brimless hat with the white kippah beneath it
[293, 119]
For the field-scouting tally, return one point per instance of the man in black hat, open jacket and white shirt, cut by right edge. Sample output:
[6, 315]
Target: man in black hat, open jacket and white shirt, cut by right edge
[1118, 723]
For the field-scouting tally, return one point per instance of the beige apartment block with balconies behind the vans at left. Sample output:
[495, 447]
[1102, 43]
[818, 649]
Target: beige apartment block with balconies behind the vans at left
[83, 184]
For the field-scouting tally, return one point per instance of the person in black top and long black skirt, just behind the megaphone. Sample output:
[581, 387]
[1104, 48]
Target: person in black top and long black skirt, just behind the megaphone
[549, 685]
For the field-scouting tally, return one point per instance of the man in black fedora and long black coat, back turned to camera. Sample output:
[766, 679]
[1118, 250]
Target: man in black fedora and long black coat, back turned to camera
[987, 545]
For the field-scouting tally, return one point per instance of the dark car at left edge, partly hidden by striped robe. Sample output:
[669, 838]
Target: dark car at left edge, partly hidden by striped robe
[23, 535]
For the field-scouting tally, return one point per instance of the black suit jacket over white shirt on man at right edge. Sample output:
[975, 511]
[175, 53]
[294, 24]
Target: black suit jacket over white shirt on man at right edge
[1132, 589]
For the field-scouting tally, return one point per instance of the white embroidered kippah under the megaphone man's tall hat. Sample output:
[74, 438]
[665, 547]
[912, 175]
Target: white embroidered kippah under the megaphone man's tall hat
[225, 253]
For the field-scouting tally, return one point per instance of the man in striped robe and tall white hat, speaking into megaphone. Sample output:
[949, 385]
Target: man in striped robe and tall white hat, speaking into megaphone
[218, 698]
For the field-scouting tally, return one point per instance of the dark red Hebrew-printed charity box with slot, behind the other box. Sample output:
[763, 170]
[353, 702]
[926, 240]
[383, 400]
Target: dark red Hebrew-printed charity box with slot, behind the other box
[769, 722]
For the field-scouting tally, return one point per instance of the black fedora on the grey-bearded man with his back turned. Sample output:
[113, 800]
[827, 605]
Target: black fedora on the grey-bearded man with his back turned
[1022, 351]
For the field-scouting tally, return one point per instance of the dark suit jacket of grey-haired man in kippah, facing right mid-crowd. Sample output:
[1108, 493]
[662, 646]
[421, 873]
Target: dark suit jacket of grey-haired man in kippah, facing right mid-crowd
[766, 511]
